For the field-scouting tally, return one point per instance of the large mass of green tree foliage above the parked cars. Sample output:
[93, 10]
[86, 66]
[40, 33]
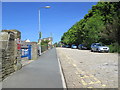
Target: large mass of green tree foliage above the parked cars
[101, 24]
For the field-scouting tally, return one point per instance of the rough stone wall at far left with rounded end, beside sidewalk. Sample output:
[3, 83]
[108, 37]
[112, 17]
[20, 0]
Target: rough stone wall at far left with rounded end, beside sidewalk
[9, 54]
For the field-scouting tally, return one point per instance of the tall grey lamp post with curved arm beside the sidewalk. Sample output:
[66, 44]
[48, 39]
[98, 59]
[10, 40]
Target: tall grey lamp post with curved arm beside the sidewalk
[39, 41]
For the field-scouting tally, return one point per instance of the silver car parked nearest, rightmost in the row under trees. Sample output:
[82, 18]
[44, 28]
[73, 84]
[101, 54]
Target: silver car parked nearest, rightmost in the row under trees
[99, 48]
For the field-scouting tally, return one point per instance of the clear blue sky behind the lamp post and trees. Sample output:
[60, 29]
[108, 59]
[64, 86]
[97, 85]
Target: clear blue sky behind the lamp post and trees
[23, 16]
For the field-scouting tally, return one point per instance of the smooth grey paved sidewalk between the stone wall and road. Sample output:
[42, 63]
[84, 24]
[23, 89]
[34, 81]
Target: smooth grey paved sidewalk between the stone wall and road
[42, 73]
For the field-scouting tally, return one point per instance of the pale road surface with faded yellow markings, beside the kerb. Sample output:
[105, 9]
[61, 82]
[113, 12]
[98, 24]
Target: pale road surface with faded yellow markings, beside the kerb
[85, 69]
